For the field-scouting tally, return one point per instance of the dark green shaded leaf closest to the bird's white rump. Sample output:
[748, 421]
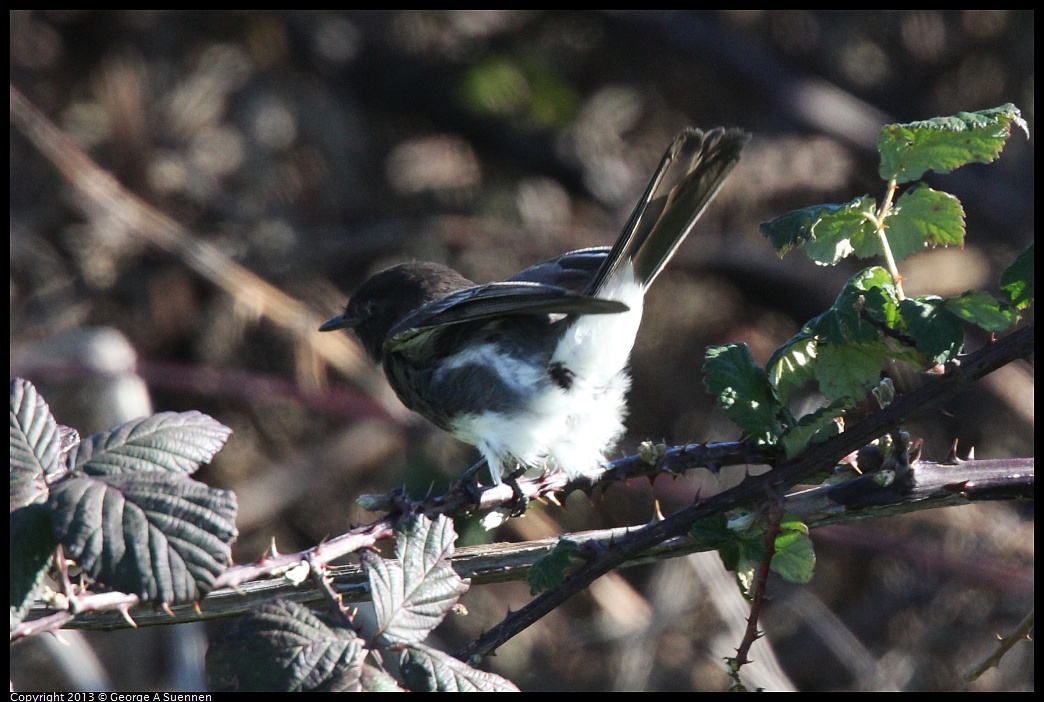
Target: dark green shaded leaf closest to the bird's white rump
[744, 391]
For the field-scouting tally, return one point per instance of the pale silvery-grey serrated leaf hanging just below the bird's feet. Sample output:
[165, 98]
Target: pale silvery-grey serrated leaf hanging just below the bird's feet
[414, 593]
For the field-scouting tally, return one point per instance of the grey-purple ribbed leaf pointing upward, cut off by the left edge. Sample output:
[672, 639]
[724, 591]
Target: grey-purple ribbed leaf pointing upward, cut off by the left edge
[35, 446]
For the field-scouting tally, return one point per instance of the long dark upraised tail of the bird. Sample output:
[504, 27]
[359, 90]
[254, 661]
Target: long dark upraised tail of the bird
[691, 175]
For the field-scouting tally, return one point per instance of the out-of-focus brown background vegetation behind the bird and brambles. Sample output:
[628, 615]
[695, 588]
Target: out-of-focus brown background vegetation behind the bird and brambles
[312, 149]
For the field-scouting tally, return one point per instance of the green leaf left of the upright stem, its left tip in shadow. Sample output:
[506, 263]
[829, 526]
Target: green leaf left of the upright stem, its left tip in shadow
[824, 232]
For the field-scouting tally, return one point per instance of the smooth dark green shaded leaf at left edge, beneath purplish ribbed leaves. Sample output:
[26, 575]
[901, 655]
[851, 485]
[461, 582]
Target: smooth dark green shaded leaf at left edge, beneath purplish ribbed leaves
[33, 545]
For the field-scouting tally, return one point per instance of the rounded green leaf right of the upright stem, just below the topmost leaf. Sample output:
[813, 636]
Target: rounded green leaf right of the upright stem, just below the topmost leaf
[923, 218]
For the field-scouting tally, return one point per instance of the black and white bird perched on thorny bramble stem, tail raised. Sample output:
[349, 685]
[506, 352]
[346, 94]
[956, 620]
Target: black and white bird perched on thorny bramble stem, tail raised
[534, 370]
